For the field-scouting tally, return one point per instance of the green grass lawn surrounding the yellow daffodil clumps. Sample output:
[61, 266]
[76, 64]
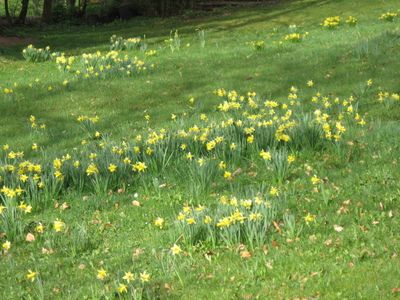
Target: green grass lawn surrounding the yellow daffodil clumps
[313, 260]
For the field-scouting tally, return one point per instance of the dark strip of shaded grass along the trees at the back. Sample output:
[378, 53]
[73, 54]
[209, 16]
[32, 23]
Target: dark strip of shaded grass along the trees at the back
[70, 39]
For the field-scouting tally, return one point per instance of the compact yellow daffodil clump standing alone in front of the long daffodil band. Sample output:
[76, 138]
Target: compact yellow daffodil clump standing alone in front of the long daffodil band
[232, 221]
